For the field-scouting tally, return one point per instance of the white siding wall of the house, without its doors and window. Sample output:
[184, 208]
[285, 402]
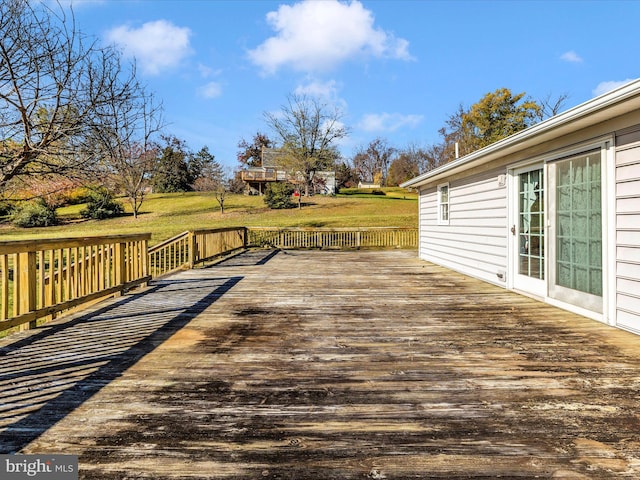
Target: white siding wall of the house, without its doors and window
[476, 240]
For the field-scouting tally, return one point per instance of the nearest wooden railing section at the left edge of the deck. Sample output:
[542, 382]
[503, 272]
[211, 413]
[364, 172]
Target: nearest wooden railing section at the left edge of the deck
[41, 278]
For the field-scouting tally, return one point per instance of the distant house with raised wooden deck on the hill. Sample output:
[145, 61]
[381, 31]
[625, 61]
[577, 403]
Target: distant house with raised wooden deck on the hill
[256, 179]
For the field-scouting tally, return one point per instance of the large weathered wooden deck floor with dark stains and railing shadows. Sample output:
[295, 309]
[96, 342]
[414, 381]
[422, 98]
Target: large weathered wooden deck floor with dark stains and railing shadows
[326, 365]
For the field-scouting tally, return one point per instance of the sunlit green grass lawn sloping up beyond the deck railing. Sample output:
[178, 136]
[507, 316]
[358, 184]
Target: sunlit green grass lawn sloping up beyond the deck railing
[165, 215]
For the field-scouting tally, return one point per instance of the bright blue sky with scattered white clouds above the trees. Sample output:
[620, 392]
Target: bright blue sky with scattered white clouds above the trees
[396, 69]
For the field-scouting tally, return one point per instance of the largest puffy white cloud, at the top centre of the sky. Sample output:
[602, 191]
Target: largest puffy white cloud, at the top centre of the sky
[313, 36]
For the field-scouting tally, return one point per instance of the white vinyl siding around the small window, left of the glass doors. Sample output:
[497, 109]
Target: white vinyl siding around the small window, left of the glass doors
[474, 242]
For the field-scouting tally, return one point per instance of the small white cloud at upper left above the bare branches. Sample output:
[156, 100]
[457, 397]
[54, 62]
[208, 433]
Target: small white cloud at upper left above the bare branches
[155, 45]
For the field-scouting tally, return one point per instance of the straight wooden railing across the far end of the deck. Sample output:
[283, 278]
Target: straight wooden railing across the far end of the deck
[337, 238]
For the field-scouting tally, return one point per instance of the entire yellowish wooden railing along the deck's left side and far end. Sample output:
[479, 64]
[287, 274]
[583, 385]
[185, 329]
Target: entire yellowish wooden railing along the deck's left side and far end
[40, 278]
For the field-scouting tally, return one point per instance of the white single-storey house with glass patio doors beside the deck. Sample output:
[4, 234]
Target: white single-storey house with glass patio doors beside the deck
[552, 211]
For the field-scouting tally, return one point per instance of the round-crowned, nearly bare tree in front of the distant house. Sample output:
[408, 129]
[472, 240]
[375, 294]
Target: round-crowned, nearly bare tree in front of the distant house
[309, 131]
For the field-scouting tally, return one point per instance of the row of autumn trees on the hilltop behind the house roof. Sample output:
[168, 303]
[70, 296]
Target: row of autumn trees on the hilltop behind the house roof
[307, 130]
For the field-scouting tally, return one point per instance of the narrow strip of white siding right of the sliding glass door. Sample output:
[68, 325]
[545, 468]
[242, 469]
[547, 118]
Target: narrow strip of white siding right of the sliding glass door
[628, 231]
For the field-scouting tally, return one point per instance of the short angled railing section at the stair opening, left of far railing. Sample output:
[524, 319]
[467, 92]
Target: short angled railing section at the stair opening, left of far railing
[192, 248]
